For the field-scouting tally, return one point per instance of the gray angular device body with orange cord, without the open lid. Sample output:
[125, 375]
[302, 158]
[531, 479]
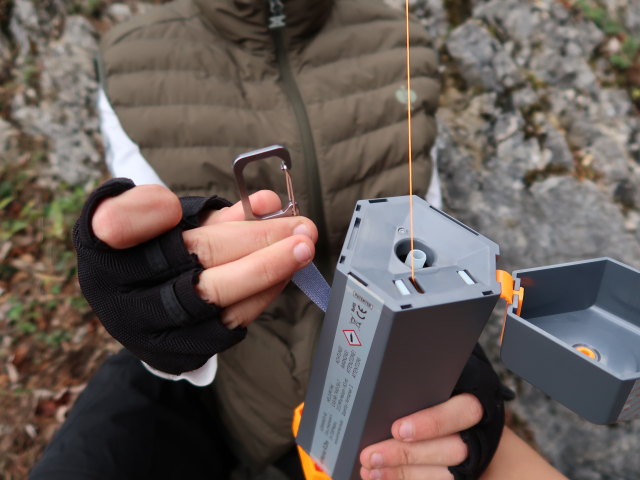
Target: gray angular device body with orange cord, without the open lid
[391, 345]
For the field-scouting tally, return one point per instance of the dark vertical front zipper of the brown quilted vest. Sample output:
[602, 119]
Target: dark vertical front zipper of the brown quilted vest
[316, 213]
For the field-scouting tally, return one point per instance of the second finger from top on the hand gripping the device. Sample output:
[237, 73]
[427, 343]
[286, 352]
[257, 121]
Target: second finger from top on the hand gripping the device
[445, 451]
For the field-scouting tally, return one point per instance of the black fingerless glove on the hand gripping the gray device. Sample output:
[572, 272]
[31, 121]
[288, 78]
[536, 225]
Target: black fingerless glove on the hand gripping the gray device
[479, 379]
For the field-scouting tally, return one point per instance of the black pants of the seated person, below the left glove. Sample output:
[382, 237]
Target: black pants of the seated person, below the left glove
[129, 424]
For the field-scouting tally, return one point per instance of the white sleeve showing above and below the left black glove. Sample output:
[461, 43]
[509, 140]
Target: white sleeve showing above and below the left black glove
[124, 159]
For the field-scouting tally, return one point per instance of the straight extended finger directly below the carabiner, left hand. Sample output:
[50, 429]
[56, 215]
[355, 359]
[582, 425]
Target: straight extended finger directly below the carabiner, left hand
[225, 242]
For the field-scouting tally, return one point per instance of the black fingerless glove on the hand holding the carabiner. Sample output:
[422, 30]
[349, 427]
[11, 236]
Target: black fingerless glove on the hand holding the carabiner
[145, 296]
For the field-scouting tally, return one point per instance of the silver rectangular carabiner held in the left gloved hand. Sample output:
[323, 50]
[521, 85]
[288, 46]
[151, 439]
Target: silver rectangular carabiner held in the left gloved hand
[278, 151]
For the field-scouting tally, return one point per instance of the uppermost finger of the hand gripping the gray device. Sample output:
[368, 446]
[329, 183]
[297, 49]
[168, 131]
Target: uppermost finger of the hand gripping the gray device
[456, 414]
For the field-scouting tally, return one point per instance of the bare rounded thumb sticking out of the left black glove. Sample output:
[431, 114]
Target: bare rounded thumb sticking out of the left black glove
[135, 216]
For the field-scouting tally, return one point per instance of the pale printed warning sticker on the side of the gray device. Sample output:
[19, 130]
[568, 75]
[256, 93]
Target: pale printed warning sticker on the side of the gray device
[357, 323]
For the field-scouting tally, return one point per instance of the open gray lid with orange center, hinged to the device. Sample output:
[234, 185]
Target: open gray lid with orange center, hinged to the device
[577, 337]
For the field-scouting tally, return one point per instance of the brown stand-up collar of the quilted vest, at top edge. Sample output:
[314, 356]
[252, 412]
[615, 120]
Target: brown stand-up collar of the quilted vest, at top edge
[247, 21]
